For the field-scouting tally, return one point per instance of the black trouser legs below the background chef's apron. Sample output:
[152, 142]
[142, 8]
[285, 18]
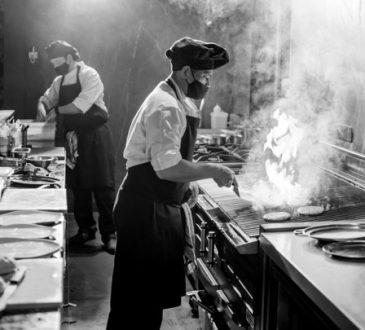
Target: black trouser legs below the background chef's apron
[83, 210]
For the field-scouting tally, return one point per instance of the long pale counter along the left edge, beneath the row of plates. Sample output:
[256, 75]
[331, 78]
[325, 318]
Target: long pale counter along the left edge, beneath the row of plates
[32, 306]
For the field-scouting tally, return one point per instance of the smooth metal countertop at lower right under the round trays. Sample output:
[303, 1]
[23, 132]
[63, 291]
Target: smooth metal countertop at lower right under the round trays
[336, 287]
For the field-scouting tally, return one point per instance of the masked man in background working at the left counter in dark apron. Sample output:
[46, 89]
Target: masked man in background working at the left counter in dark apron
[75, 101]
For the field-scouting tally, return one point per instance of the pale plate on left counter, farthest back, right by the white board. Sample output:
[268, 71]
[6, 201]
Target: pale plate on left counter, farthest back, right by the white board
[30, 217]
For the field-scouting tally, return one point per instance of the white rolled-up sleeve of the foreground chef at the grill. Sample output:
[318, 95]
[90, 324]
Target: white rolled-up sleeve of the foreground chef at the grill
[164, 129]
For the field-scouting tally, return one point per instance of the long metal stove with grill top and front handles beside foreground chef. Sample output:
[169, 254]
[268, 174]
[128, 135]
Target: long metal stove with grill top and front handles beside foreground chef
[227, 230]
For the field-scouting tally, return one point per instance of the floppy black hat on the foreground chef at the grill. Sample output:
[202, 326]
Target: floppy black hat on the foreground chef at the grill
[197, 54]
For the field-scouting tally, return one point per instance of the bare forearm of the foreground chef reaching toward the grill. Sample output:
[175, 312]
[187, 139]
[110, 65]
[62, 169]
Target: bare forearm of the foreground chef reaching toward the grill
[186, 171]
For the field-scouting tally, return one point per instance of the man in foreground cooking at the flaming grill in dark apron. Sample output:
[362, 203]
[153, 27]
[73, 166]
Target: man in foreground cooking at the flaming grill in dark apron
[148, 268]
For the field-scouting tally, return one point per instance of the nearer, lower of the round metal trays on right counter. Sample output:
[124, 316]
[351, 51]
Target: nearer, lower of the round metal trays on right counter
[346, 249]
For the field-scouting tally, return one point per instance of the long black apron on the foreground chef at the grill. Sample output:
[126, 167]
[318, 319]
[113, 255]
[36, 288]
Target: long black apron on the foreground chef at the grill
[151, 234]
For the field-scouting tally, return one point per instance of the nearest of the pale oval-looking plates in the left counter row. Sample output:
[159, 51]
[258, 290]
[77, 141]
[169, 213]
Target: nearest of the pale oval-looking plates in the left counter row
[19, 248]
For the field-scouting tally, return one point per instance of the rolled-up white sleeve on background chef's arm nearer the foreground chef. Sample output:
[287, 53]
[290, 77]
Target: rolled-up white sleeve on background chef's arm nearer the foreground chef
[91, 88]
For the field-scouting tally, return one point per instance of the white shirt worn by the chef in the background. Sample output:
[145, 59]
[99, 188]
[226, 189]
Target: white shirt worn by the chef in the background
[92, 89]
